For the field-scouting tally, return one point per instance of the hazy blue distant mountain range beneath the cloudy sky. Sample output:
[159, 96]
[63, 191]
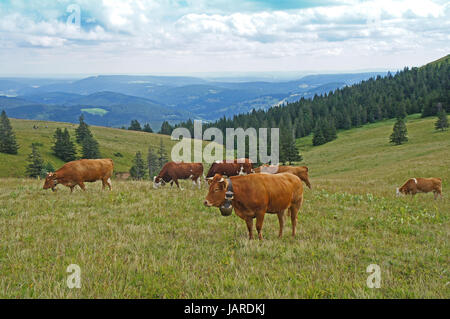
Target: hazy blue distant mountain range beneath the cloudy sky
[117, 99]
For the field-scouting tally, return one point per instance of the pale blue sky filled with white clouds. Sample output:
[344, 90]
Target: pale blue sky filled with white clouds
[192, 36]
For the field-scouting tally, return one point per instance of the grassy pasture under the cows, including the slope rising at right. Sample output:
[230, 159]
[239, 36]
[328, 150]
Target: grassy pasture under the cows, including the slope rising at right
[137, 242]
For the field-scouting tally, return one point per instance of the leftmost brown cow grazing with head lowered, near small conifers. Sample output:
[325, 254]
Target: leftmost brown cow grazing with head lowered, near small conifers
[78, 172]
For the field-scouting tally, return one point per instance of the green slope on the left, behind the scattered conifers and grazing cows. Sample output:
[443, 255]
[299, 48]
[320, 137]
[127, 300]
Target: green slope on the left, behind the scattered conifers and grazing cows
[111, 141]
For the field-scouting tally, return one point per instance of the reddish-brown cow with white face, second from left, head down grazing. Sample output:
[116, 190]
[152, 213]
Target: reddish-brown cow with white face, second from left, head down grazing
[173, 171]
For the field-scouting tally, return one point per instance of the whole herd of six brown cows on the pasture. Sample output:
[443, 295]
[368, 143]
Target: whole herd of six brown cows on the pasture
[251, 192]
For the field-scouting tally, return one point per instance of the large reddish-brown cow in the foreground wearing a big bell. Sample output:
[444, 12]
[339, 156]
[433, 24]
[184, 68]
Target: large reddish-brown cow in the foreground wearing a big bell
[254, 195]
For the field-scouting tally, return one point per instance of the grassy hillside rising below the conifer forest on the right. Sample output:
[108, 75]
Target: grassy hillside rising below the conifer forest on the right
[365, 157]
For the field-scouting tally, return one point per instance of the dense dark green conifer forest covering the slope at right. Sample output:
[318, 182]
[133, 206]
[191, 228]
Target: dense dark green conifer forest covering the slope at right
[416, 90]
